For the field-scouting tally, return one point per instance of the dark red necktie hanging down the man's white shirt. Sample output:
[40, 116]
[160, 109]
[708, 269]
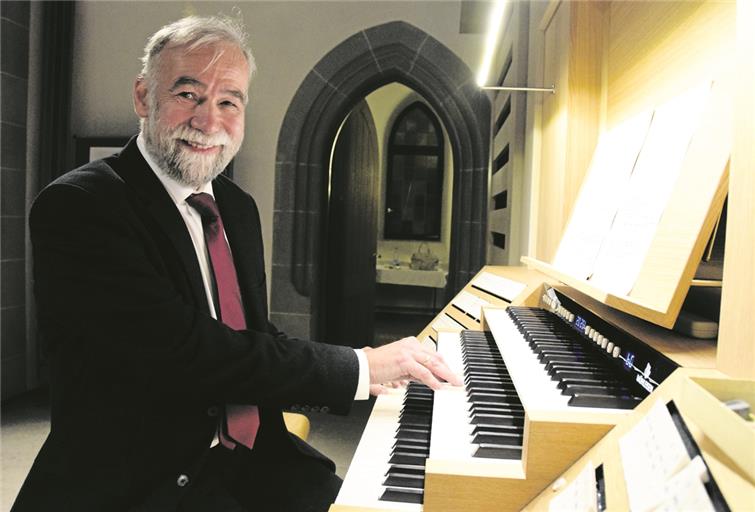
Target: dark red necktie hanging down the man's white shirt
[241, 421]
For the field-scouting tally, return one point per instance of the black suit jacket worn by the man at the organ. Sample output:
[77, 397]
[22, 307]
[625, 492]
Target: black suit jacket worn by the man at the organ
[138, 365]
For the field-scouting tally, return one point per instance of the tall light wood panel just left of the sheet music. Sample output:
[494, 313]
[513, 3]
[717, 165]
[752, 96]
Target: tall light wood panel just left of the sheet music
[571, 118]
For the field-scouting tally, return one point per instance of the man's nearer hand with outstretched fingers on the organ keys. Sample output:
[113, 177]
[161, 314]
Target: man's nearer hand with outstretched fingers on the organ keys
[407, 359]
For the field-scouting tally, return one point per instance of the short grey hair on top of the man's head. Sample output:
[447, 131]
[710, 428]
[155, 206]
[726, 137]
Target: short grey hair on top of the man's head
[195, 32]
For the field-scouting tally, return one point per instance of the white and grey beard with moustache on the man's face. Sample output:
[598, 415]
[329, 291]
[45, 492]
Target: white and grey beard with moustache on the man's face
[180, 163]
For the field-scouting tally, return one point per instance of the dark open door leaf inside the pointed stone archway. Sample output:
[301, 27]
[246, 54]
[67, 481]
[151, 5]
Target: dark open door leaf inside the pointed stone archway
[350, 254]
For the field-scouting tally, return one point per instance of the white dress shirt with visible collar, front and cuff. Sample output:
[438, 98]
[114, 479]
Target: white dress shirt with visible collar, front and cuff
[179, 192]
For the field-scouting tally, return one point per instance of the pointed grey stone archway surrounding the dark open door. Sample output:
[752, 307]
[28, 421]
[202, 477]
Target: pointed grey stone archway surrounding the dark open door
[392, 52]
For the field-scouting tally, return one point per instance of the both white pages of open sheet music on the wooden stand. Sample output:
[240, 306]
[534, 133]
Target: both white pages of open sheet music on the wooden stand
[636, 168]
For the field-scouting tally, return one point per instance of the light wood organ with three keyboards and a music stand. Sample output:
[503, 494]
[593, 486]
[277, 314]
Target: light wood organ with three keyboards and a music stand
[531, 340]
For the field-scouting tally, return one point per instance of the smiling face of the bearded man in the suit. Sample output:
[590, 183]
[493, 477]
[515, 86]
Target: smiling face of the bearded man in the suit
[194, 112]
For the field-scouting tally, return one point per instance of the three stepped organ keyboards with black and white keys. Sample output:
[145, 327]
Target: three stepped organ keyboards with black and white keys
[542, 385]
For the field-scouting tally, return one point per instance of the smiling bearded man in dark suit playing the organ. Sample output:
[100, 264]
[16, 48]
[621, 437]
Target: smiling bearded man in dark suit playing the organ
[158, 333]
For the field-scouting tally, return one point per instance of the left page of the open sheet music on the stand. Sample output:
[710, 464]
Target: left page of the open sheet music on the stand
[606, 181]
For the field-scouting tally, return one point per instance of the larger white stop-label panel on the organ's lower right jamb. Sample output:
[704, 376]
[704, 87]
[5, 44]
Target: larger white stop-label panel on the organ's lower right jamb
[651, 453]
